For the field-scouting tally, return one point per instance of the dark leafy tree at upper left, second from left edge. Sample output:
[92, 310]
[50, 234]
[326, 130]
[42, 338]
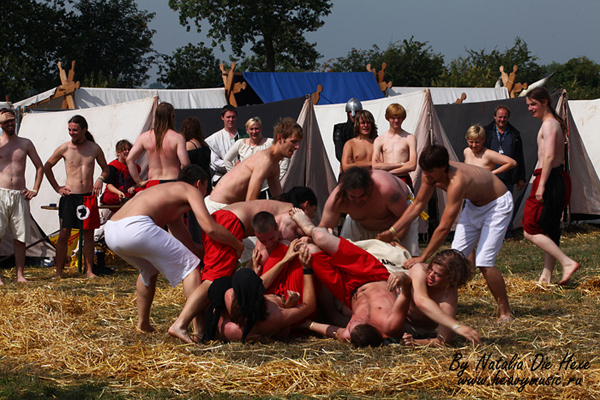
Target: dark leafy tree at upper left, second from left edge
[111, 42]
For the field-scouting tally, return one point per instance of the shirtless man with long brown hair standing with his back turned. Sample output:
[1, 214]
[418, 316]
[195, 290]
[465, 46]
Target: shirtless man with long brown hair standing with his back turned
[164, 148]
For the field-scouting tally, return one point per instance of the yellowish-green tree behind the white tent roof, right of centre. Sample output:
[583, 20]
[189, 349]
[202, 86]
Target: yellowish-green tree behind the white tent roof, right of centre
[481, 68]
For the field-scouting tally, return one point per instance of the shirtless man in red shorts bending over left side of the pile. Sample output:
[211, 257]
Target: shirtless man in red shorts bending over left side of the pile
[220, 261]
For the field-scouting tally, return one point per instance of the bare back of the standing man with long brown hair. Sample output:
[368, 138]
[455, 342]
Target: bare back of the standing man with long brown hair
[163, 164]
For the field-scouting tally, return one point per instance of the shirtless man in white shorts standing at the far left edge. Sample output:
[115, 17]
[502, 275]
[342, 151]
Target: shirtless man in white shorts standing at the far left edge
[14, 195]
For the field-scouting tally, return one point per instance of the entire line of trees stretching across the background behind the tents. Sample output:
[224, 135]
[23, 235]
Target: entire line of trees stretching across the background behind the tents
[111, 42]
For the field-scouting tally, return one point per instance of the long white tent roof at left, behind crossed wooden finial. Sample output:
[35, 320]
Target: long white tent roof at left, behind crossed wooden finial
[94, 97]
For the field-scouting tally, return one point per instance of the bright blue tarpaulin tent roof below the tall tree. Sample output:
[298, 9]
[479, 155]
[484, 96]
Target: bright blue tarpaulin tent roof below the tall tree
[338, 87]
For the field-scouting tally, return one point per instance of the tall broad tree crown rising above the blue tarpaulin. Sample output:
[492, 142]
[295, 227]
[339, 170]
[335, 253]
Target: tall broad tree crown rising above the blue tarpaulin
[273, 28]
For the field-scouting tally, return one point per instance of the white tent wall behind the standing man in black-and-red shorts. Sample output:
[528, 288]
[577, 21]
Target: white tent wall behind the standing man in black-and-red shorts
[108, 125]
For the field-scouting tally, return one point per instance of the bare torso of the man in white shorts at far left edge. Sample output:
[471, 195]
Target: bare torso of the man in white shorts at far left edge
[13, 159]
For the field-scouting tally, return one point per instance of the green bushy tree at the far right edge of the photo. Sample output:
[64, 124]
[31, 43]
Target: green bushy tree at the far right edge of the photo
[579, 76]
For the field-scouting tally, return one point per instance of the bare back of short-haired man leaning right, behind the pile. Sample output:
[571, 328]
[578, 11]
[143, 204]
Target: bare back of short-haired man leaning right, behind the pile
[245, 180]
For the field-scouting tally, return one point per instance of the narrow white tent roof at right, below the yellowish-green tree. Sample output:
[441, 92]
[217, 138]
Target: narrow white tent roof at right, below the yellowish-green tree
[443, 95]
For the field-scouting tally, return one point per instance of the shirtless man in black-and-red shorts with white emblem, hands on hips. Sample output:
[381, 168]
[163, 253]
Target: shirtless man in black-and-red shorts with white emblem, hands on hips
[78, 206]
